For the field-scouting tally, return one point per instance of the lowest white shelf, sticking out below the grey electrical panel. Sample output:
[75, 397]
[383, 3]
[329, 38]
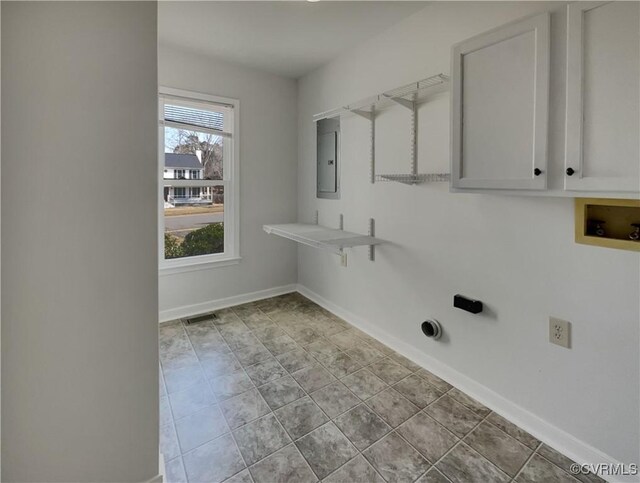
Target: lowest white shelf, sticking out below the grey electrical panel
[321, 237]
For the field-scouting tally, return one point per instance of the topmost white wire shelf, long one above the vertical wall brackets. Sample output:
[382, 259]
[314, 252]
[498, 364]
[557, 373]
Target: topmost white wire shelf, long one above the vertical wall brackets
[414, 92]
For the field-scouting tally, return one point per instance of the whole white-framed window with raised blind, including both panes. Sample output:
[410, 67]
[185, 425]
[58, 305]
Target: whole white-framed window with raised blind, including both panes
[198, 212]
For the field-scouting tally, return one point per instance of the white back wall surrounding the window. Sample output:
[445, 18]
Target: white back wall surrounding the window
[267, 180]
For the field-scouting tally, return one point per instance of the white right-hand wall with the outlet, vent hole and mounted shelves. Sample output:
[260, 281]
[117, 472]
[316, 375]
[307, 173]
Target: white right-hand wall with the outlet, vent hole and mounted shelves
[516, 254]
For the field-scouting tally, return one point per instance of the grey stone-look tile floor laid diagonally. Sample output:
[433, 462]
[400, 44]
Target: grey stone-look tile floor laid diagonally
[281, 390]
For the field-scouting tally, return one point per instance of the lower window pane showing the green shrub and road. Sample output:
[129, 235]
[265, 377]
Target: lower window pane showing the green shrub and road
[193, 221]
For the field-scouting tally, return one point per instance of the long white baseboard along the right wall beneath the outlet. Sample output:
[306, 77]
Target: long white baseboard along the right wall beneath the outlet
[562, 441]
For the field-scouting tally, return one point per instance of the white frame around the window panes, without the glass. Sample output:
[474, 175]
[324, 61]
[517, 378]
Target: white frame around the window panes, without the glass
[230, 181]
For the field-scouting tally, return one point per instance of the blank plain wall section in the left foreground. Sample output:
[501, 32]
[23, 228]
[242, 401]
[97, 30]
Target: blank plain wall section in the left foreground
[79, 242]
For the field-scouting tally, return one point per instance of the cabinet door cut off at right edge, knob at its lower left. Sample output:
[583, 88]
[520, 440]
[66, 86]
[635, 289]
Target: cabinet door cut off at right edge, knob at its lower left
[603, 103]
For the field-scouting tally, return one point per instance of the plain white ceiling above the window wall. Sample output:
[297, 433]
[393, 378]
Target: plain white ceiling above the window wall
[289, 38]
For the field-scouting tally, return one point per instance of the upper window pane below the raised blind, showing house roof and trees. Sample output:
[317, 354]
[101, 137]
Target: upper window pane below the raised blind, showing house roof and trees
[192, 154]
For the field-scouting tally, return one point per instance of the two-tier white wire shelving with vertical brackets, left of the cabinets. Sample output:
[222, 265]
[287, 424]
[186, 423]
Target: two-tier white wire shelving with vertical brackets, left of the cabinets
[409, 96]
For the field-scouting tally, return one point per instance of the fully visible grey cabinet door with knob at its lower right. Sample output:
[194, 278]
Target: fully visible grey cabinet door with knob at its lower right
[500, 104]
